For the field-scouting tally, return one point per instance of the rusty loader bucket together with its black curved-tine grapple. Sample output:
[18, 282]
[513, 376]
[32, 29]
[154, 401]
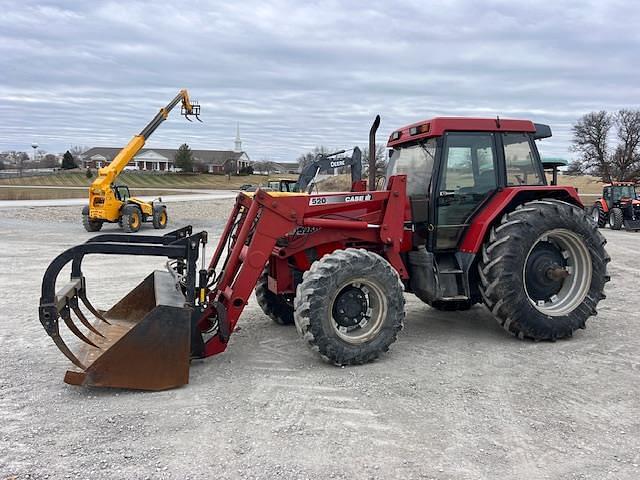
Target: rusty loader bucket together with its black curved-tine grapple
[145, 340]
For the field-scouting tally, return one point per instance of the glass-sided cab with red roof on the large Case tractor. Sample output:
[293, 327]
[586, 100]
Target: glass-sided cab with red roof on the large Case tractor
[455, 166]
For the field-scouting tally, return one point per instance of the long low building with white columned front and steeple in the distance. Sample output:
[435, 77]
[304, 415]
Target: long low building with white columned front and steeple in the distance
[163, 159]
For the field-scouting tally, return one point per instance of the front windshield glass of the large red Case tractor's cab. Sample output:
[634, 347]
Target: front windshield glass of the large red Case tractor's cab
[416, 162]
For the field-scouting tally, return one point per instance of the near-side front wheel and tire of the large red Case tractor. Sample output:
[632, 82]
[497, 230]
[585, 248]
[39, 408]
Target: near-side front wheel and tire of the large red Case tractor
[349, 306]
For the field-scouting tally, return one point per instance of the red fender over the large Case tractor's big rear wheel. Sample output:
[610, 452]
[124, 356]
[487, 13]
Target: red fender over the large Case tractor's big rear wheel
[504, 201]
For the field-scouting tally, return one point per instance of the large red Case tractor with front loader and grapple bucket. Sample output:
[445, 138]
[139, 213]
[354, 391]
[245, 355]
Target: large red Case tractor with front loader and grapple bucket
[464, 216]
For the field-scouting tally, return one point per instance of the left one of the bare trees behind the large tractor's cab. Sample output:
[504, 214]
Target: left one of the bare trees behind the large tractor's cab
[590, 140]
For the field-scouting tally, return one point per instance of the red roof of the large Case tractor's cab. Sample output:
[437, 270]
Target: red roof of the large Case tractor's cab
[435, 127]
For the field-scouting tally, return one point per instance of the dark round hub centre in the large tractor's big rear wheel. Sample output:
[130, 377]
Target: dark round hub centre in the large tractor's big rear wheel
[545, 271]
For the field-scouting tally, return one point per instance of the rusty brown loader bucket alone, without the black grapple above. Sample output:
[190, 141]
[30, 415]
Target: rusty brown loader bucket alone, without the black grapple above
[145, 345]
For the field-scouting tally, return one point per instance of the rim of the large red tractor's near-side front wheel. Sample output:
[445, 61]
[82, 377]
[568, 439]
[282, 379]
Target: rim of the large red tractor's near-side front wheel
[358, 310]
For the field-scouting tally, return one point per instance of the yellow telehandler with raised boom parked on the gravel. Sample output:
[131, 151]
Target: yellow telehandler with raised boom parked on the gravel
[113, 203]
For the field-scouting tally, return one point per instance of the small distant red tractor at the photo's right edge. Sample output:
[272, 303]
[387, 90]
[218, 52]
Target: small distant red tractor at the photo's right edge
[619, 207]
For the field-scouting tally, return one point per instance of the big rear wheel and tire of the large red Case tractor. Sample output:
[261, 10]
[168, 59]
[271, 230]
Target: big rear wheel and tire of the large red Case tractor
[543, 270]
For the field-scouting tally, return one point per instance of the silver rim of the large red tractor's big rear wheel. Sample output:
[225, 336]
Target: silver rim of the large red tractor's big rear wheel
[557, 272]
